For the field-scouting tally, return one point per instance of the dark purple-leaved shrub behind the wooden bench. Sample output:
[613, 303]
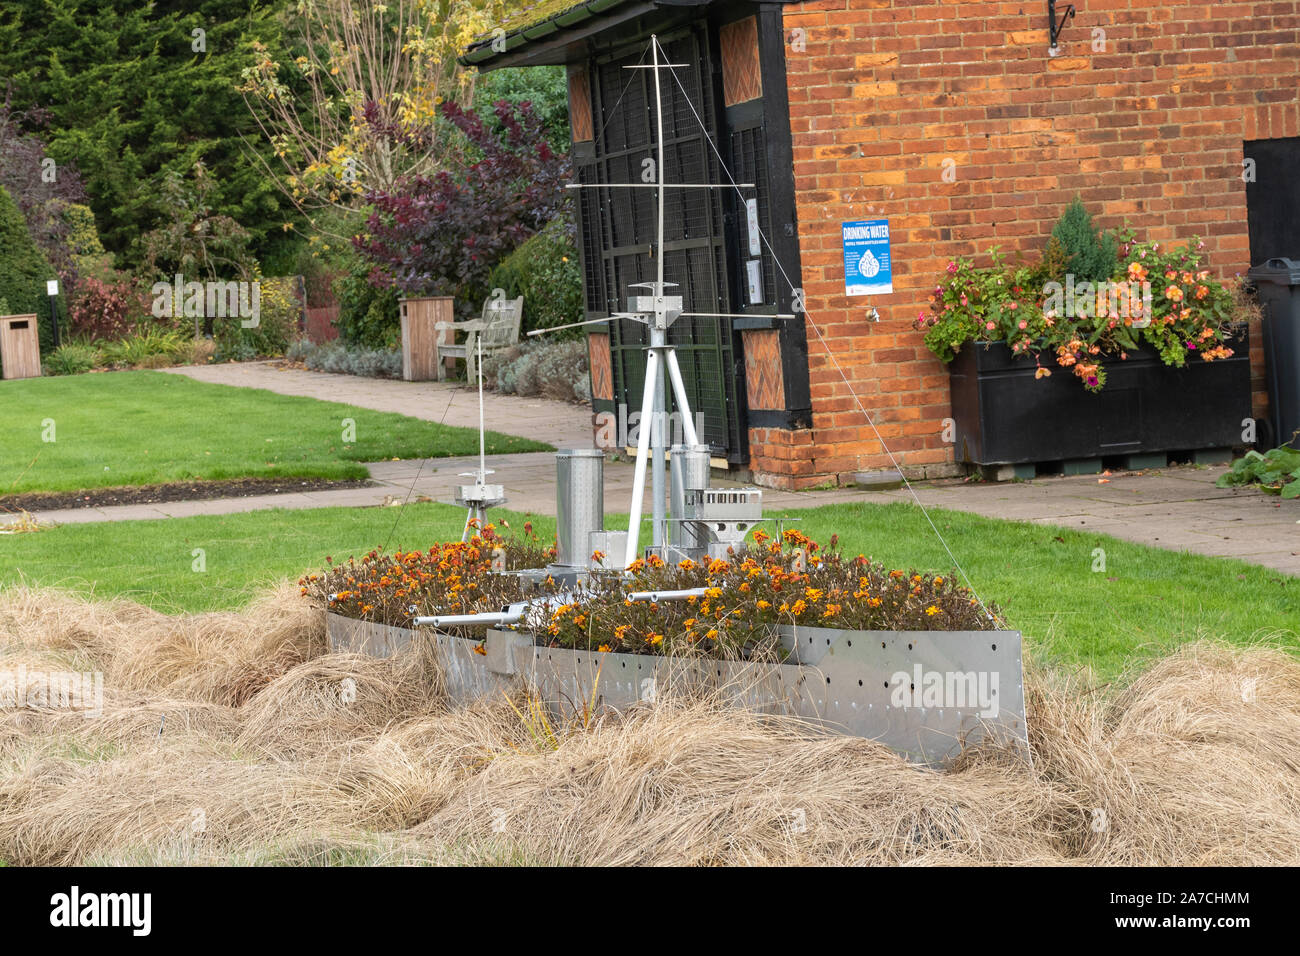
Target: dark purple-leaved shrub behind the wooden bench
[443, 235]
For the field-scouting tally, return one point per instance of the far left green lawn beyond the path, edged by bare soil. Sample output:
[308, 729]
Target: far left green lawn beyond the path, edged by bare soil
[135, 429]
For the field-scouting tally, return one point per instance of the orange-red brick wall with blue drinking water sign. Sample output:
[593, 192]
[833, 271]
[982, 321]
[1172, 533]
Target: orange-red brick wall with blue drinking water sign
[885, 92]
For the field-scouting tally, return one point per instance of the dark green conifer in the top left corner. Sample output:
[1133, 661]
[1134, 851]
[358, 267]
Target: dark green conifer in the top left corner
[137, 92]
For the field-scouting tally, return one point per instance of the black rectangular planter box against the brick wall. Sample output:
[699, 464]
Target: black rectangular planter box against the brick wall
[1004, 416]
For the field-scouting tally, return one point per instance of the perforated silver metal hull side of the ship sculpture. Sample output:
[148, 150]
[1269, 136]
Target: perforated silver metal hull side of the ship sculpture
[865, 684]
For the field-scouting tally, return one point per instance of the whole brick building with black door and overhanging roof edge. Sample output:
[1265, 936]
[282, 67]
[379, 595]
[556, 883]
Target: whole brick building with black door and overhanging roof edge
[952, 120]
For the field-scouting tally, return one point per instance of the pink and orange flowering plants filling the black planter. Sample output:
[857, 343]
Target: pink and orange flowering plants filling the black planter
[1163, 299]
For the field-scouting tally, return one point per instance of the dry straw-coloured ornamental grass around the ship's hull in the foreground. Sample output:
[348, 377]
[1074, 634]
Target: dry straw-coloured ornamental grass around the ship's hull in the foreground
[236, 738]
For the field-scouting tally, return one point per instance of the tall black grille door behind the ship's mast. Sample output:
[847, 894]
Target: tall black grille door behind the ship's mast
[619, 228]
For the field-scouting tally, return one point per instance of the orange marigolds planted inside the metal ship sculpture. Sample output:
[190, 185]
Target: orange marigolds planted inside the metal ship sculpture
[786, 581]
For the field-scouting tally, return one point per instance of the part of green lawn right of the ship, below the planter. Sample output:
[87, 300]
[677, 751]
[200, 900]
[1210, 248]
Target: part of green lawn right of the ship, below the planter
[1145, 603]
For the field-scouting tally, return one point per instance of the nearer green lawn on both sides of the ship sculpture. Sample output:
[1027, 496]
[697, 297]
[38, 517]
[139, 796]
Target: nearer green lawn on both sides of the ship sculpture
[1146, 602]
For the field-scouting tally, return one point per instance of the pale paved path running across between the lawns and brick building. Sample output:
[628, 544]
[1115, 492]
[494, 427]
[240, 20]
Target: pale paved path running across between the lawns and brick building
[1178, 508]
